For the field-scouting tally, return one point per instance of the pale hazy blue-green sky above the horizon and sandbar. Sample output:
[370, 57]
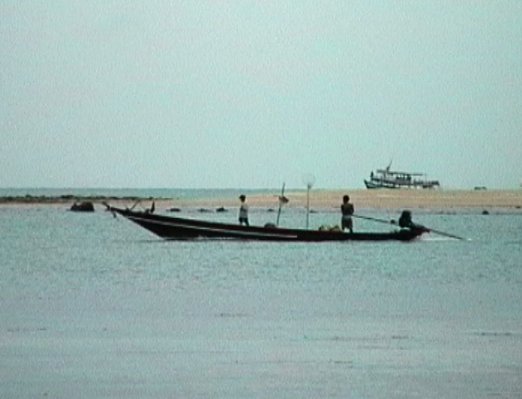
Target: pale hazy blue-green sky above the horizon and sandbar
[251, 94]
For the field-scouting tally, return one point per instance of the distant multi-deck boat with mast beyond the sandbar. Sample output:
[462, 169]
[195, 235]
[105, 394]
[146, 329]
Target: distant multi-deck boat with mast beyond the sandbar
[387, 178]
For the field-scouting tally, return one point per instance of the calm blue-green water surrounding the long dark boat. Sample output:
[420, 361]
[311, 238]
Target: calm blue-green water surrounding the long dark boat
[92, 306]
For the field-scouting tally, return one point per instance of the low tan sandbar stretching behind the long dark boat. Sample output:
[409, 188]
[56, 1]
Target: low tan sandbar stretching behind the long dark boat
[319, 199]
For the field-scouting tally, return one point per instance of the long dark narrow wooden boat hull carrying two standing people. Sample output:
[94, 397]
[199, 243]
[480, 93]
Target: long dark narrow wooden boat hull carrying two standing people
[176, 228]
